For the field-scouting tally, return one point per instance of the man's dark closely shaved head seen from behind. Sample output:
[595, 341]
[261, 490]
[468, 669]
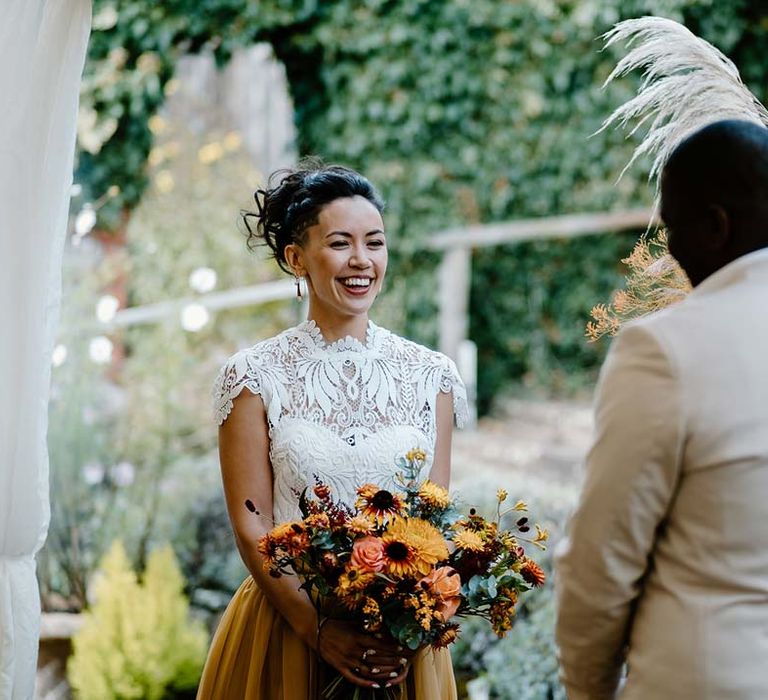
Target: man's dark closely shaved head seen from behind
[714, 196]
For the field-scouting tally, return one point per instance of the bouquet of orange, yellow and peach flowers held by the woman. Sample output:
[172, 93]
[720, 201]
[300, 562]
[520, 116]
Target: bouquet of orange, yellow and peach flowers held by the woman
[406, 562]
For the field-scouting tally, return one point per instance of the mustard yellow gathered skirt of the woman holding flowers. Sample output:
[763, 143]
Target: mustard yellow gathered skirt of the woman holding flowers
[255, 655]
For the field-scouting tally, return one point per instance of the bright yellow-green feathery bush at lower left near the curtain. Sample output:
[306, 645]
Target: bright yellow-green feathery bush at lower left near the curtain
[137, 640]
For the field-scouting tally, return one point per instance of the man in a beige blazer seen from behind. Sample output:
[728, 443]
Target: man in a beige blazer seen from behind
[666, 562]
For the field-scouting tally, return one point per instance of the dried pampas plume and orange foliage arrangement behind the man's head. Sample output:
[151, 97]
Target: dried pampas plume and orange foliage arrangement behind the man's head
[687, 84]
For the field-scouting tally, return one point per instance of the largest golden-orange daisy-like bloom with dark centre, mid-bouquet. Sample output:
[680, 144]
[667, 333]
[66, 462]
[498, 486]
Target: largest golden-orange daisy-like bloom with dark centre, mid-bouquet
[413, 546]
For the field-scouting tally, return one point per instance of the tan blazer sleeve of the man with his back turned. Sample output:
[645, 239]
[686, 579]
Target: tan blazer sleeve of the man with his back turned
[631, 476]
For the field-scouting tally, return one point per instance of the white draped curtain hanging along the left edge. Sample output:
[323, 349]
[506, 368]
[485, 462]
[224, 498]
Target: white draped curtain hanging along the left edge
[42, 50]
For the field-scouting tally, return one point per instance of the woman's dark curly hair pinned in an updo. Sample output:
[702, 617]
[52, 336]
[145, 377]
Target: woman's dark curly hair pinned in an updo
[285, 210]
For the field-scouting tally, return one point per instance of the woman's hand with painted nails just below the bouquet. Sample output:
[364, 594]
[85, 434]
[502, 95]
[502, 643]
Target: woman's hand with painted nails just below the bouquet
[371, 661]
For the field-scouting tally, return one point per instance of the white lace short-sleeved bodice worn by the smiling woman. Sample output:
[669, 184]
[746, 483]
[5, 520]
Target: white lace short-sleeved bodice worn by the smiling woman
[341, 411]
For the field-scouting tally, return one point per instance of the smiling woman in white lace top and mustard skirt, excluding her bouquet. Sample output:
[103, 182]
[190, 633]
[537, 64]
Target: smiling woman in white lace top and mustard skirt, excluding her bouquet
[339, 398]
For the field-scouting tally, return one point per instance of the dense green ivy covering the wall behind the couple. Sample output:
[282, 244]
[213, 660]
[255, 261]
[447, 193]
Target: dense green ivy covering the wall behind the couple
[462, 111]
